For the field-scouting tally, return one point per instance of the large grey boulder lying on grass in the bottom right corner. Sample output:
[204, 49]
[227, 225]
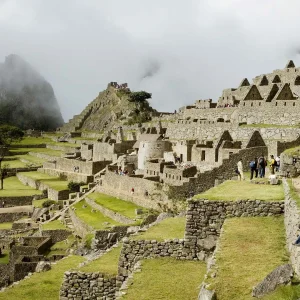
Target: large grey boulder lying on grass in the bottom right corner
[281, 275]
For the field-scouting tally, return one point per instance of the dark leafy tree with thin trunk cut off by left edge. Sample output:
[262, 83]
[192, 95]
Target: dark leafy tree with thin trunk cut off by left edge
[8, 135]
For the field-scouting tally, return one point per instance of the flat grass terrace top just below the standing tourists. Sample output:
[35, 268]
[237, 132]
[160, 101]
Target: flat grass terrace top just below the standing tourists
[233, 190]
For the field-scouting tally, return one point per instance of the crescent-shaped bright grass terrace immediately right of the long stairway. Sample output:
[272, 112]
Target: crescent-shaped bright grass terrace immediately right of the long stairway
[93, 219]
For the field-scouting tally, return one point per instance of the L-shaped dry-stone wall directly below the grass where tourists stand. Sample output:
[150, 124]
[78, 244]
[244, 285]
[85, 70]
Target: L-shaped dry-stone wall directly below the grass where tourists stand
[205, 218]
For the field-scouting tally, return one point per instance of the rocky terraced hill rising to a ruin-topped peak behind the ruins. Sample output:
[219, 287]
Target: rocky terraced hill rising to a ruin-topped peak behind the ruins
[112, 107]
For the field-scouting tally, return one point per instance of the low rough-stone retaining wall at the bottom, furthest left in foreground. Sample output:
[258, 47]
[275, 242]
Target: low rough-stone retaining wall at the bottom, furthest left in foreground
[92, 286]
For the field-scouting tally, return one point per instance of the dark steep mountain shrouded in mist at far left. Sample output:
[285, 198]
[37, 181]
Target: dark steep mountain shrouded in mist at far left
[27, 100]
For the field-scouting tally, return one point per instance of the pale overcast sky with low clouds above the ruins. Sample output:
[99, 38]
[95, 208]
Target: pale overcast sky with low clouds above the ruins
[179, 50]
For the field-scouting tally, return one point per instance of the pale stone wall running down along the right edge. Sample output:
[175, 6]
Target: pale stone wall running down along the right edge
[292, 230]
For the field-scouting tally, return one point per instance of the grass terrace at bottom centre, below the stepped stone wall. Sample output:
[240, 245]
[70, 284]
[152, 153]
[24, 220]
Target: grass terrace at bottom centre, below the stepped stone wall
[167, 279]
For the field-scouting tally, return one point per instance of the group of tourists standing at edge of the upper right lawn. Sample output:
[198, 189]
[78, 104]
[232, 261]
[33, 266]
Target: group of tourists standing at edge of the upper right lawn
[258, 167]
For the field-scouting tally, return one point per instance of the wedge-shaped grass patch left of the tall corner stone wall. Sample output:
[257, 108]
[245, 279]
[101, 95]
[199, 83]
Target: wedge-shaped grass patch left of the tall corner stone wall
[171, 228]
